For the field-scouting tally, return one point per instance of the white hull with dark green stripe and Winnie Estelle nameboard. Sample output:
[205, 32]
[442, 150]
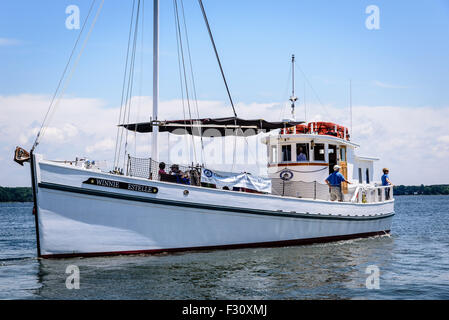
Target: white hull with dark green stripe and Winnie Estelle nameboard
[75, 218]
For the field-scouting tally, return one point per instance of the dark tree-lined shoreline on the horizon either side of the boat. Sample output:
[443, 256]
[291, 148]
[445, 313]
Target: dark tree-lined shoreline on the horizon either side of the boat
[24, 194]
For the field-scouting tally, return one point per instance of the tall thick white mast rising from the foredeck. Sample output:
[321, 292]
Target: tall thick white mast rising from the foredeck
[154, 151]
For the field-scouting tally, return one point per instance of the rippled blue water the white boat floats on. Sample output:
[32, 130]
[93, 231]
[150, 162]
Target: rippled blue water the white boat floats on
[413, 264]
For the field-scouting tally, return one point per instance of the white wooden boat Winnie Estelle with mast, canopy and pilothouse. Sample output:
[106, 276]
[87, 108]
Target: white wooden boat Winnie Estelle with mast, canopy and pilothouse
[81, 210]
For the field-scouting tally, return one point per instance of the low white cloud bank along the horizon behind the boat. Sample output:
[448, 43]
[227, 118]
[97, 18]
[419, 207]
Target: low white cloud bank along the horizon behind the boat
[412, 142]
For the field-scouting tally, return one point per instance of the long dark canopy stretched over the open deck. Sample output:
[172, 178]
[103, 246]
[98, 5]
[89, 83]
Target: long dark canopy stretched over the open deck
[211, 126]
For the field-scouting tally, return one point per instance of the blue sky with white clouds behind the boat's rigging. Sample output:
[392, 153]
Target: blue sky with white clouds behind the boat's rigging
[399, 74]
